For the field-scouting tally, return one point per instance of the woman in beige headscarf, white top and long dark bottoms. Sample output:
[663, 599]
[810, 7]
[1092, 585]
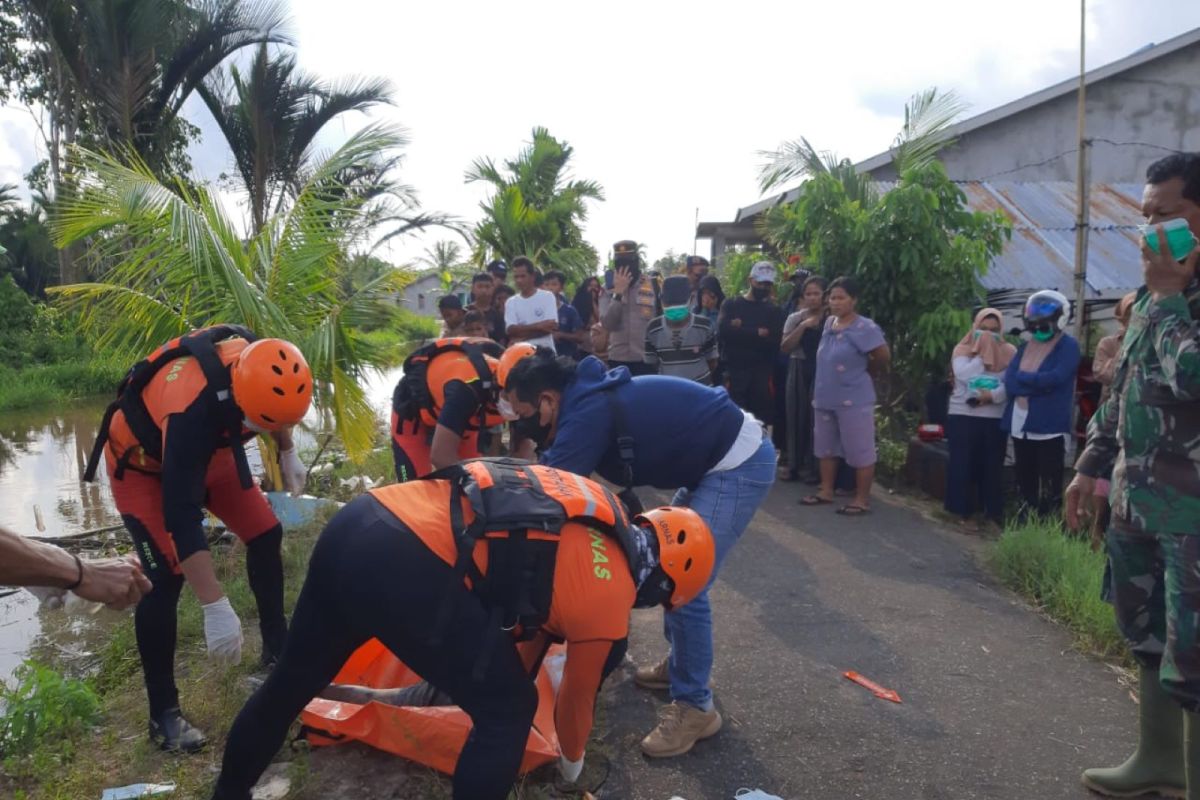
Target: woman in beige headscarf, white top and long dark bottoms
[977, 443]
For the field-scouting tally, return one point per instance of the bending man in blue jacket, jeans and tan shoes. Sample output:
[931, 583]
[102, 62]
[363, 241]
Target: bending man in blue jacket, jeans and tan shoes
[673, 435]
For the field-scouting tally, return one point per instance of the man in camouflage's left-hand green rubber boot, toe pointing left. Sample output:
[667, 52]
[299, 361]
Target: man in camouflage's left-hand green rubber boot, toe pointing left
[1157, 766]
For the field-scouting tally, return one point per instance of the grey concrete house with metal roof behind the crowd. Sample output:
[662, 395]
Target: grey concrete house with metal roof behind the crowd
[1021, 159]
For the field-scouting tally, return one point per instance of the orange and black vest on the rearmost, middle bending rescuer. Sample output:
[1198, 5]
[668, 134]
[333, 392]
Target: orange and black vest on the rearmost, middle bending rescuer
[421, 393]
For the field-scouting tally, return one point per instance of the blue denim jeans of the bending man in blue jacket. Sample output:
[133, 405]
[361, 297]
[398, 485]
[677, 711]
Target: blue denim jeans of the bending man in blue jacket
[727, 502]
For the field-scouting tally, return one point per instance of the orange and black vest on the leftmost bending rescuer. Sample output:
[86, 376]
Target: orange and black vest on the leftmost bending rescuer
[130, 426]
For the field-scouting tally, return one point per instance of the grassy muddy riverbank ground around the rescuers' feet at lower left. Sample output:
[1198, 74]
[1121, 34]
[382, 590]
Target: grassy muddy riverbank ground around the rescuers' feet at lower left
[117, 751]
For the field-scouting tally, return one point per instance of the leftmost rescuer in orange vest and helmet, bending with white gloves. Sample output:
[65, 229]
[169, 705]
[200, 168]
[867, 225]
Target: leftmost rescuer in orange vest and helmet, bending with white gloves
[173, 443]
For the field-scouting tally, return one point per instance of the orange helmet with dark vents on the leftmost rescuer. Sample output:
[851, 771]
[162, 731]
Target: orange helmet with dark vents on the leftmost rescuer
[272, 384]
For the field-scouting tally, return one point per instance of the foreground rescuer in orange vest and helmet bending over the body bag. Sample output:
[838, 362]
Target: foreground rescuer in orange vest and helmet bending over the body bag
[410, 566]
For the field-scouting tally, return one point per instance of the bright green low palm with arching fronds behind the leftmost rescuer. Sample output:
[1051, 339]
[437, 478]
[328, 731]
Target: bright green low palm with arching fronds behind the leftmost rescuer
[182, 263]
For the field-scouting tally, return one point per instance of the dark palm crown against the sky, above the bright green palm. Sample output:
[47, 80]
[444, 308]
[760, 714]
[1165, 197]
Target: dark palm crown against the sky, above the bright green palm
[272, 116]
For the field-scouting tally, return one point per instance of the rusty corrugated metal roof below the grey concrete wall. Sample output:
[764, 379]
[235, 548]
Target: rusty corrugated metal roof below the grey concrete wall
[1042, 252]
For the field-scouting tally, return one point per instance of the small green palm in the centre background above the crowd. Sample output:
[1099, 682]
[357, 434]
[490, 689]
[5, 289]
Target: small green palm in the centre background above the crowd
[536, 209]
